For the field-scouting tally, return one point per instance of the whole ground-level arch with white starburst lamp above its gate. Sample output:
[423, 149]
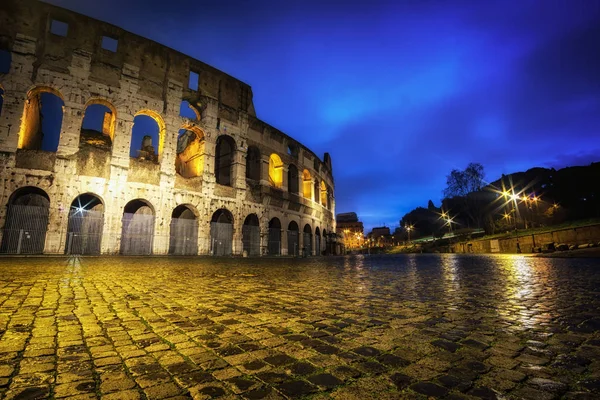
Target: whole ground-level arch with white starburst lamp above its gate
[84, 229]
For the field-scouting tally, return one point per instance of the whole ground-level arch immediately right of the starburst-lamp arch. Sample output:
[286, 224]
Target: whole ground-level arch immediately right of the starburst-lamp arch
[137, 234]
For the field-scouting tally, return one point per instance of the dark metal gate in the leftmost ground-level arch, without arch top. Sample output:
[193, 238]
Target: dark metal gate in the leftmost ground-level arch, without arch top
[25, 230]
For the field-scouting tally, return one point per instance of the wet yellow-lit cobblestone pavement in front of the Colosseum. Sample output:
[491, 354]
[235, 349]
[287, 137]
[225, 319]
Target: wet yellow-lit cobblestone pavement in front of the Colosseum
[394, 327]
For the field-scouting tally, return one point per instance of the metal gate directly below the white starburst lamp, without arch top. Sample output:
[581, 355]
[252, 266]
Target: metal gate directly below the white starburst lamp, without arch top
[84, 231]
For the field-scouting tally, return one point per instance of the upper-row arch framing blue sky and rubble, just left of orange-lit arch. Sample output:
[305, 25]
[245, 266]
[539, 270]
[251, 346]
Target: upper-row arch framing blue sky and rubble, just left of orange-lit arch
[147, 136]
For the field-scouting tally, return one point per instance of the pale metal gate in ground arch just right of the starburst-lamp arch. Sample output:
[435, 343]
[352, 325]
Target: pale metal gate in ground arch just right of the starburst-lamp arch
[137, 235]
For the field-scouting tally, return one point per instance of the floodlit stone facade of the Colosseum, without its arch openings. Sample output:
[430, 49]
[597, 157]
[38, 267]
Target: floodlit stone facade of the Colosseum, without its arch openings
[144, 78]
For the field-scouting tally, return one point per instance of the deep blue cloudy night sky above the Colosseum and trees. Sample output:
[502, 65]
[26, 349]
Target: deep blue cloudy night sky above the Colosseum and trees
[400, 92]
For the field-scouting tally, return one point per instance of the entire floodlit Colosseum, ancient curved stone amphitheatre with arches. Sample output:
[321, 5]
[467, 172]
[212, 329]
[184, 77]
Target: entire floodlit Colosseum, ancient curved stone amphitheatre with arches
[111, 143]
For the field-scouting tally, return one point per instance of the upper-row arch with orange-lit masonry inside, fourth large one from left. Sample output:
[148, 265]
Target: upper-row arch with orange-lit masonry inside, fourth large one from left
[189, 162]
